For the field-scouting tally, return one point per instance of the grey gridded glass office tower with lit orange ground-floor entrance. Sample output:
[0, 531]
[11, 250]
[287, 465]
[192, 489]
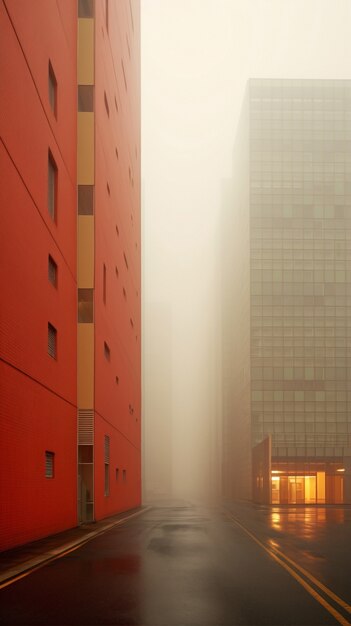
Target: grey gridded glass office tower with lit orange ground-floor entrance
[295, 235]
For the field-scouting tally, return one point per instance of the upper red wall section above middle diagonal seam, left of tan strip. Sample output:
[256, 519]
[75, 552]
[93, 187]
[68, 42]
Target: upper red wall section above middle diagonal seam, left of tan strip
[28, 130]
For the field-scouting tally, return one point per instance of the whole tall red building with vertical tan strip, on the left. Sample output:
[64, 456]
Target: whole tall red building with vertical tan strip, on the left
[70, 264]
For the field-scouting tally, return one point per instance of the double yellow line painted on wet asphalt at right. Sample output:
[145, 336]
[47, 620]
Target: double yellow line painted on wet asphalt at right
[273, 553]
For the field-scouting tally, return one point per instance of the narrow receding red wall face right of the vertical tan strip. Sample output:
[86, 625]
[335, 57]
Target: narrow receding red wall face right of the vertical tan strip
[117, 245]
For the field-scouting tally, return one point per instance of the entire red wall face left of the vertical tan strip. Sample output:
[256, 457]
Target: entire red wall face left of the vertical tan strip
[38, 393]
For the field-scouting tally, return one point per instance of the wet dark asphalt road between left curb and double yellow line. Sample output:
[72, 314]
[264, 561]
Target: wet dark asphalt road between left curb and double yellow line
[173, 565]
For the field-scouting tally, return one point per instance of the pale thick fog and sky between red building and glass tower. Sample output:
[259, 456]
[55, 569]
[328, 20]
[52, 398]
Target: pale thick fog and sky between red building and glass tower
[197, 56]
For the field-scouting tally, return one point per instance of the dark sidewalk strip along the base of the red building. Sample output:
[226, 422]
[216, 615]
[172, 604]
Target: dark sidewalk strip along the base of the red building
[17, 561]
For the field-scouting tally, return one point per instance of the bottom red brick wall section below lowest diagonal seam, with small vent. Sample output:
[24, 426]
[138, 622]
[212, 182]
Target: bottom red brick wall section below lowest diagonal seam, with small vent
[32, 421]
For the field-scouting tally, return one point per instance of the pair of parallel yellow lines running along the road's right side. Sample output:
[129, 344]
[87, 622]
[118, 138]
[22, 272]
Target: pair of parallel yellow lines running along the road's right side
[295, 570]
